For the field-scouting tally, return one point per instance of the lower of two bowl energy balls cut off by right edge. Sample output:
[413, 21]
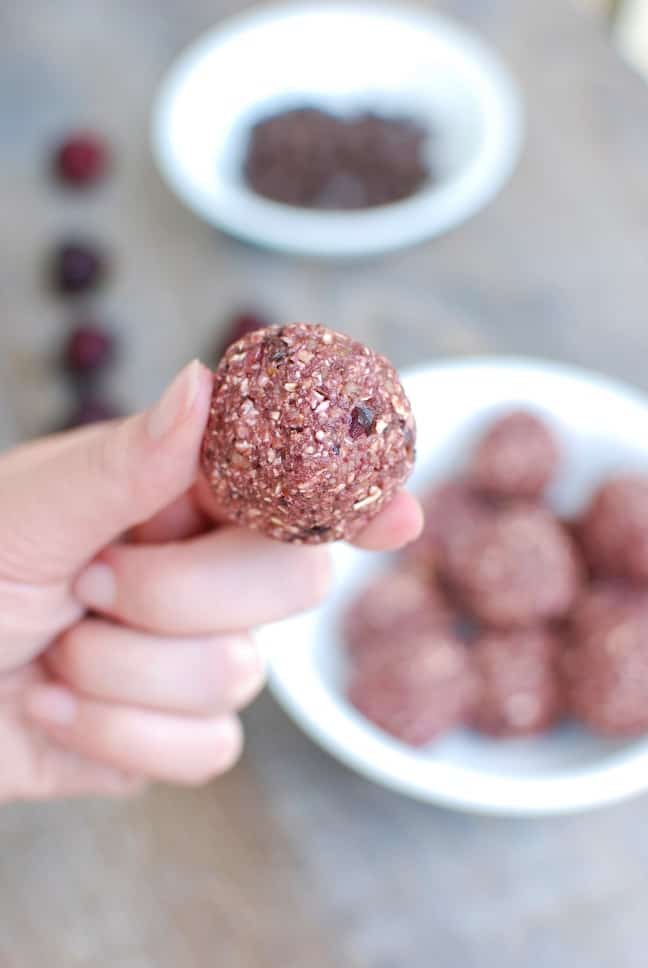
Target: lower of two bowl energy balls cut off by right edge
[606, 662]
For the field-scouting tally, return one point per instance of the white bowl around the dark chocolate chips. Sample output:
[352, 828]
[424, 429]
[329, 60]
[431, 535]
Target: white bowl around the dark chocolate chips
[343, 57]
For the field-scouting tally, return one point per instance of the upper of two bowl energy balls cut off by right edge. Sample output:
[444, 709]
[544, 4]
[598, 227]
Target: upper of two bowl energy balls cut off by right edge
[614, 530]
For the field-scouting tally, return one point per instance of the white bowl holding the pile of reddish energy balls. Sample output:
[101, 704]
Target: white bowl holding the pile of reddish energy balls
[603, 427]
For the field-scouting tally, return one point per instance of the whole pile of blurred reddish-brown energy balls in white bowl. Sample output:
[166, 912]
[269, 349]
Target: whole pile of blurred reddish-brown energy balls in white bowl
[503, 618]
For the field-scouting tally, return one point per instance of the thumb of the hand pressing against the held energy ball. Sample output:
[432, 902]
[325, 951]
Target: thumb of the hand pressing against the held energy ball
[64, 502]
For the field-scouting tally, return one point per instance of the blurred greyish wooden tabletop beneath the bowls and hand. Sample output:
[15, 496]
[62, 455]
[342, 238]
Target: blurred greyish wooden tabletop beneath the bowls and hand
[292, 860]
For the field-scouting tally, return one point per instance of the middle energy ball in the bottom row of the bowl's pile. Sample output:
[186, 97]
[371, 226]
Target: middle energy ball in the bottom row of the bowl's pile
[518, 683]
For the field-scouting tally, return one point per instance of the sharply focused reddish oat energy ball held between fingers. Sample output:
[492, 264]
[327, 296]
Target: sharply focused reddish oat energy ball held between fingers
[309, 435]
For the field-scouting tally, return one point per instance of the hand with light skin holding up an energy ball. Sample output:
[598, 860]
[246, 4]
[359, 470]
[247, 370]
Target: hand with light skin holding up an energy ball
[125, 605]
